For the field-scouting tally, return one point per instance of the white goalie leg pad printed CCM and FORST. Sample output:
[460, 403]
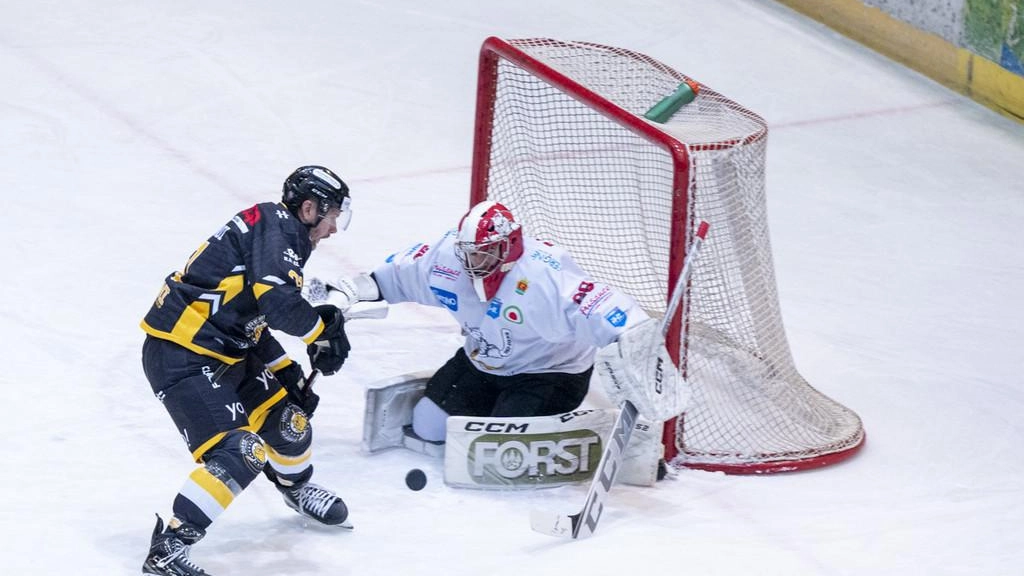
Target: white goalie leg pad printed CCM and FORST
[526, 454]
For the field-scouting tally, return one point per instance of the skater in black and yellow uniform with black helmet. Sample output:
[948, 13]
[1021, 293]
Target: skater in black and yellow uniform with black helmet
[240, 403]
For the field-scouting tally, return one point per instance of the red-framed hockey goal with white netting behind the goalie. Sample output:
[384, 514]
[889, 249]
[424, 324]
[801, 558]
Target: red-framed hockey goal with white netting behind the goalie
[562, 140]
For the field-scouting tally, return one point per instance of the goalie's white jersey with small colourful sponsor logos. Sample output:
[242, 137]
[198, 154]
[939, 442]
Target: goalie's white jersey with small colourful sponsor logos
[548, 315]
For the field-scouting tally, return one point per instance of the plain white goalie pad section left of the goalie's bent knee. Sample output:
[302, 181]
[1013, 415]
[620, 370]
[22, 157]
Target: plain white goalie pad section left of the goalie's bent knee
[390, 409]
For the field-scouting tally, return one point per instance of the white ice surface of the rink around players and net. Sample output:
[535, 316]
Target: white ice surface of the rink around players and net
[133, 131]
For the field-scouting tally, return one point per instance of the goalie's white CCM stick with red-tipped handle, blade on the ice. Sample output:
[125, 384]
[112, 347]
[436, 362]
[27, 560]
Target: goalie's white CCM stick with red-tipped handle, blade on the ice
[584, 523]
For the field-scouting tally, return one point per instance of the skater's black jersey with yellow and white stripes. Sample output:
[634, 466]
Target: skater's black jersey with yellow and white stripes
[246, 277]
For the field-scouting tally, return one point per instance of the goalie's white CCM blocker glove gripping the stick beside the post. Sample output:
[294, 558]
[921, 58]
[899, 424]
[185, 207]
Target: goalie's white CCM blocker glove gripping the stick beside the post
[638, 368]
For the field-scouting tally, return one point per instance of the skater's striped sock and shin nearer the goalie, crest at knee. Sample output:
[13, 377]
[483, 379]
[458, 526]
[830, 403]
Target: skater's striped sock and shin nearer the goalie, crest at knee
[289, 439]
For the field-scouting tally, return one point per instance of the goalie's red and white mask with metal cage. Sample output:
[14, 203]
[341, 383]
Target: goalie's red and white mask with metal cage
[489, 243]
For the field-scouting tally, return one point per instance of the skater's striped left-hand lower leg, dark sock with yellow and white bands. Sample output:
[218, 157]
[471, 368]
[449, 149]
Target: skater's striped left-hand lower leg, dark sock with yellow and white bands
[228, 469]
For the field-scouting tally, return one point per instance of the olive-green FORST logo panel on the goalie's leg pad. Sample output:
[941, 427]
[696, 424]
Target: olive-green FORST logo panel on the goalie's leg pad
[534, 459]
